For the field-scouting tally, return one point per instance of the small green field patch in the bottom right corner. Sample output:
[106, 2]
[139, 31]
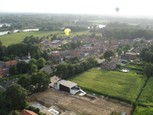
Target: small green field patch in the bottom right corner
[143, 111]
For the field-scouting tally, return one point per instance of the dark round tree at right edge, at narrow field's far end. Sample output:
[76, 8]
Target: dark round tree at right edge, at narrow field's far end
[148, 70]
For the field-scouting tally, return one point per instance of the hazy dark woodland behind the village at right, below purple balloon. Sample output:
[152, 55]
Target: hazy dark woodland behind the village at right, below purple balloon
[125, 31]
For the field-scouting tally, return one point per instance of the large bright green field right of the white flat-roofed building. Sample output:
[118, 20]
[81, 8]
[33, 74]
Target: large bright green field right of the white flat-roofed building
[125, 86]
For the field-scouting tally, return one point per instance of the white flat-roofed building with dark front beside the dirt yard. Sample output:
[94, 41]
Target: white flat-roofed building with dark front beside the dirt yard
[68, 86]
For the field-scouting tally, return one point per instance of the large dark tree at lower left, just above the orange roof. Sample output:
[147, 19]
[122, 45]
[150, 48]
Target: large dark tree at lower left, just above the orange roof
[16, 97]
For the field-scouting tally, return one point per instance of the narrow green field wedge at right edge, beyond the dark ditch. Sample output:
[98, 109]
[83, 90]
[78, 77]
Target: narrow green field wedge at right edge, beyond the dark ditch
[146, 96]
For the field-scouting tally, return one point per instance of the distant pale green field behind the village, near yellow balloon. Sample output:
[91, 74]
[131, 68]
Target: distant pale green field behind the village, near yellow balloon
[18, 37]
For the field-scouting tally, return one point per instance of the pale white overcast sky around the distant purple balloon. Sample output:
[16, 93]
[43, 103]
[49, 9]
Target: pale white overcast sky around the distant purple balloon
[142, 8]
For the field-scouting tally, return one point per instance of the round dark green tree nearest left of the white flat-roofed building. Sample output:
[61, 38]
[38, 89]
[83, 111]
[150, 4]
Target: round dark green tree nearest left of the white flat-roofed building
[39, 81]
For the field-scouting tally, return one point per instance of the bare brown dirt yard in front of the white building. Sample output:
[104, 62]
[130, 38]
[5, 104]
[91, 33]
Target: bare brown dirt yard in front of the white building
[76, 105]
